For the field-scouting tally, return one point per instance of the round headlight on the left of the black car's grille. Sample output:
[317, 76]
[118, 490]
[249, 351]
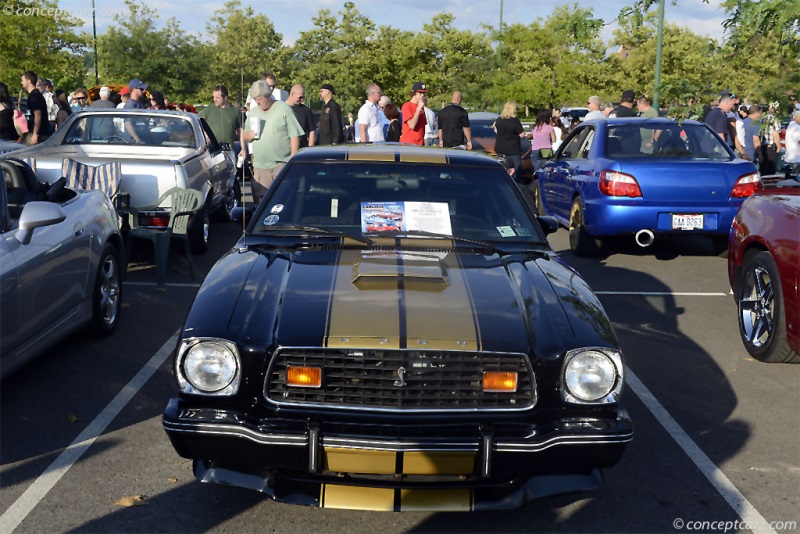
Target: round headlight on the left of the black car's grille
[208, 366]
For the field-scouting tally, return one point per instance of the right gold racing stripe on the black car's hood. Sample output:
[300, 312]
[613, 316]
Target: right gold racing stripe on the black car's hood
[441, 316]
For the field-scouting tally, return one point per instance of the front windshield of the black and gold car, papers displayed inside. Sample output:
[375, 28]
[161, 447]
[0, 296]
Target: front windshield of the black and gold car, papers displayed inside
[367, 199]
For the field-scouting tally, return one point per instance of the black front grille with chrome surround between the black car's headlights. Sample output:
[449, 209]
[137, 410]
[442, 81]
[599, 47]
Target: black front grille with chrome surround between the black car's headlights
[401, 380]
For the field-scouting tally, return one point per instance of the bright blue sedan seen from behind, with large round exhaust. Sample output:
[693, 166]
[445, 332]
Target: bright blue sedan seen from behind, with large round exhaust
[643, 177]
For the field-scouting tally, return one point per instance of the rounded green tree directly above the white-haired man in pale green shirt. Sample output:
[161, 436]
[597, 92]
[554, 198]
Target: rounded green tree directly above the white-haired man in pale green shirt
[243, 46]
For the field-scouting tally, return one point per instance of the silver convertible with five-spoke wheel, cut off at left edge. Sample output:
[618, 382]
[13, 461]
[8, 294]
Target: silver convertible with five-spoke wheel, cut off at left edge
[60, 265]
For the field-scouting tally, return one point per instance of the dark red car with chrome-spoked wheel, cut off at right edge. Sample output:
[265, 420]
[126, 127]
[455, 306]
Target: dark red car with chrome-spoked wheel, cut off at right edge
[764, 272]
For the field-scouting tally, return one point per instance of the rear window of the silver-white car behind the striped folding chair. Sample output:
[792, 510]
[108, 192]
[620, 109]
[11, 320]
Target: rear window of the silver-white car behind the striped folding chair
[123, 129]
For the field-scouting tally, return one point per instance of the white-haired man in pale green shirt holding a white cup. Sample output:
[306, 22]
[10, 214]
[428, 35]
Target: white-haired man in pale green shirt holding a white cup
[274, 136]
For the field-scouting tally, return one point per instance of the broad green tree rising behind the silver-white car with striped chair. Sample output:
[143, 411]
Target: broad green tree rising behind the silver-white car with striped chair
[167, 59]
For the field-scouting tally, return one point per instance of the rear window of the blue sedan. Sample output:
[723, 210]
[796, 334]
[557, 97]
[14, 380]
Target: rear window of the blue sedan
[665, 140]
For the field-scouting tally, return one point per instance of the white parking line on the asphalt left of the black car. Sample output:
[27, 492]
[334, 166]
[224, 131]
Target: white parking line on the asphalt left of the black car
[23, 506]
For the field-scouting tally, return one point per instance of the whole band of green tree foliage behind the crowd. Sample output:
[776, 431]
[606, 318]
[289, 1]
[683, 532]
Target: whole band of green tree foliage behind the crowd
[560, 60]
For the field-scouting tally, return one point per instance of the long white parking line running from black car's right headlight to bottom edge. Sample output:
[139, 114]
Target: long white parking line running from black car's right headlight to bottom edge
[747, 512]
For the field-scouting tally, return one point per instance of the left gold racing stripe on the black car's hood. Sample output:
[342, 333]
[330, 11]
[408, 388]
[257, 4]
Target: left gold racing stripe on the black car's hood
[362, 319]
